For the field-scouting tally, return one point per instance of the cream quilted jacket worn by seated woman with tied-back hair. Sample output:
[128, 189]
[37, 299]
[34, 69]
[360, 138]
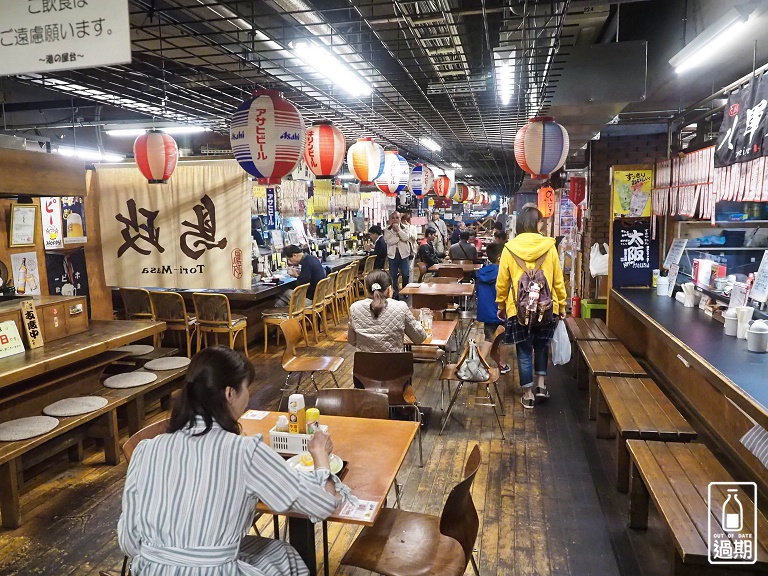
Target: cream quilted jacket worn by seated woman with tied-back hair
[385, 333]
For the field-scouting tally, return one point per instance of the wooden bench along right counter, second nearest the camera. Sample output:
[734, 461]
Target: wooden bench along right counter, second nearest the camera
[639, 410]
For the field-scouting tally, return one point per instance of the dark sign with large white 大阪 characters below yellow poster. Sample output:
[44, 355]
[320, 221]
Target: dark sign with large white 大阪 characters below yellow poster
[635, 253]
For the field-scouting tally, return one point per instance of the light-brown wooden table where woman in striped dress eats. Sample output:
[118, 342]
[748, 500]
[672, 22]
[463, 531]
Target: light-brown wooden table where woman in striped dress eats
[371, 467]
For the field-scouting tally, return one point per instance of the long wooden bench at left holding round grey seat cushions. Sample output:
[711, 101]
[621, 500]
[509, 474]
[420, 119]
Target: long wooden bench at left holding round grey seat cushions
[71, 431]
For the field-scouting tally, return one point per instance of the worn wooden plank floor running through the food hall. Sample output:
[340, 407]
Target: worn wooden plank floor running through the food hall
[545, 496]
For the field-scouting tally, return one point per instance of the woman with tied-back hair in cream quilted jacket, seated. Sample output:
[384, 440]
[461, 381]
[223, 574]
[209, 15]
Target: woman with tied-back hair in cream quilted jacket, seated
[379, 323]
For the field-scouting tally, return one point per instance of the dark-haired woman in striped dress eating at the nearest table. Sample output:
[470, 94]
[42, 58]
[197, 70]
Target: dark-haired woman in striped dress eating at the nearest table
[190, 495]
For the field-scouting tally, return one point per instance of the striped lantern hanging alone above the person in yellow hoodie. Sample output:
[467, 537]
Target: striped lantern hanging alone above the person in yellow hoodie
[541, 146]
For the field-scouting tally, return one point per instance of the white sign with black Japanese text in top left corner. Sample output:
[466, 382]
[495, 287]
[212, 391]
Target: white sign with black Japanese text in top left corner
[49, 35]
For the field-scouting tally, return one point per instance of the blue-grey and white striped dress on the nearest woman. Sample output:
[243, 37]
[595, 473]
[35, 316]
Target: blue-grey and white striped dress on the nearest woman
[189, 503]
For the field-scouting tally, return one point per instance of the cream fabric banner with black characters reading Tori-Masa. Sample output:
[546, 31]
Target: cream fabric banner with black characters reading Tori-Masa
[193, 232]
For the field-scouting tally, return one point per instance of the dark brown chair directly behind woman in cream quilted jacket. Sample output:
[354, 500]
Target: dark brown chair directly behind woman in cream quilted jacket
[390, 373]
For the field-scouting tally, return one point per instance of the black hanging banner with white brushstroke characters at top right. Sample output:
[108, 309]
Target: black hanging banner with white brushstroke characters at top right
[744, 125]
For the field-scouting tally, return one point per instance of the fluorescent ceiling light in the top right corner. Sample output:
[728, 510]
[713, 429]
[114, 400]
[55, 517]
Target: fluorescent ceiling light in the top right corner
[712, 40]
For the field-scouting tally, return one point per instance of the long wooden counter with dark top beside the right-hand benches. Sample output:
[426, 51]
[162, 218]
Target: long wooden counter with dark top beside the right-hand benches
[713, 376]
